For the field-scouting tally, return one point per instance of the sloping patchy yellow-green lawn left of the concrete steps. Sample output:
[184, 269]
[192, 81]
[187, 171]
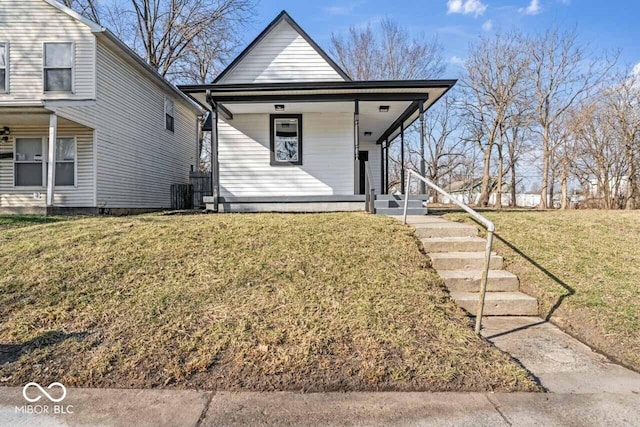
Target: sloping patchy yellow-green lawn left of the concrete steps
[236, 302]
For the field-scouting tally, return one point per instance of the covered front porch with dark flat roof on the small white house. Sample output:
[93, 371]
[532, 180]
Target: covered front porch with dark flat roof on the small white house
[309, 147]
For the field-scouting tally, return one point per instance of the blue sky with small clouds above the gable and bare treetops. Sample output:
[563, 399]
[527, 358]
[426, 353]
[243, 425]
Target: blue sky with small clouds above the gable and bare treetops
[604, 25]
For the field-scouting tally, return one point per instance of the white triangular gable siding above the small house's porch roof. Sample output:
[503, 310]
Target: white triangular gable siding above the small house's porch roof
[282, 56]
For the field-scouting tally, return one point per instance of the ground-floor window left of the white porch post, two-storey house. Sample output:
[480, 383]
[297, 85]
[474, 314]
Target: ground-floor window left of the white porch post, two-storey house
[29, 167]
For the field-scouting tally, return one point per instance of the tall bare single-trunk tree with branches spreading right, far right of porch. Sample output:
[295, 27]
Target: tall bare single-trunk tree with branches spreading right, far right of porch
[562, 73]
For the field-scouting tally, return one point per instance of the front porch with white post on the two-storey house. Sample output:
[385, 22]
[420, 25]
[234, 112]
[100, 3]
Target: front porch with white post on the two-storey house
[37, 176]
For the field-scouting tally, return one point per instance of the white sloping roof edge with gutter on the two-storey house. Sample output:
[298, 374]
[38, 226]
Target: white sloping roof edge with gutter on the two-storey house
[104, 32]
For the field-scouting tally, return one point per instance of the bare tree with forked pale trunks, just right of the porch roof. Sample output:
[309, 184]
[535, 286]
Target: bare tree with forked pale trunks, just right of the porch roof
[493, 82]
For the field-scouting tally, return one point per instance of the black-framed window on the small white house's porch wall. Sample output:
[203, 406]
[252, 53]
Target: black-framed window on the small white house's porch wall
[286, 139]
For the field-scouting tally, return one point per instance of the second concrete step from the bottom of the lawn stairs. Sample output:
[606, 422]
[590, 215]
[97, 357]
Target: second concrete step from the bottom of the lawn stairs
[469, 280]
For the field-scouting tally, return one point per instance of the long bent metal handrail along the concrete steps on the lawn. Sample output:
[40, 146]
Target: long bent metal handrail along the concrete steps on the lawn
[482, 220]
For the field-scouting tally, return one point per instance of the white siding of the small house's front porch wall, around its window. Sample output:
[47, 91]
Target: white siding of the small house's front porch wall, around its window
[327, 157]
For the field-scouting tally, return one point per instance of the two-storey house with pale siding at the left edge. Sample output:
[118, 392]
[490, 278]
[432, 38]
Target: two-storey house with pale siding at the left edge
[85, 124]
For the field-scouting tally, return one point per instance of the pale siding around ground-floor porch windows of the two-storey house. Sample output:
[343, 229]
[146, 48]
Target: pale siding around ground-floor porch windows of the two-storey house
[79, 196]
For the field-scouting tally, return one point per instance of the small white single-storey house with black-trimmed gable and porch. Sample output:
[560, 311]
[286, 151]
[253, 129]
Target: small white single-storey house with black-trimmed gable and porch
[292, 131]
